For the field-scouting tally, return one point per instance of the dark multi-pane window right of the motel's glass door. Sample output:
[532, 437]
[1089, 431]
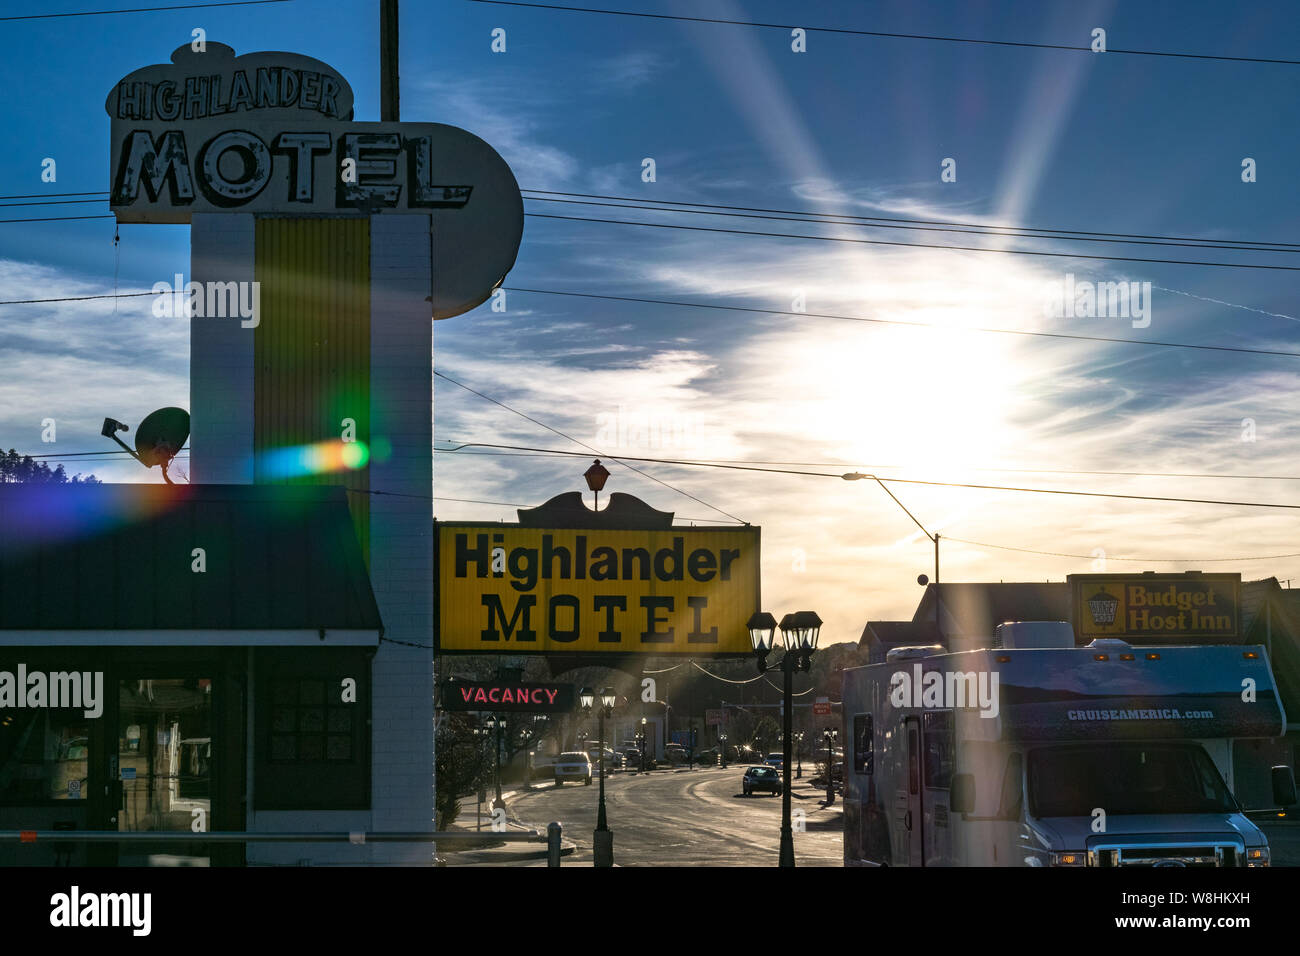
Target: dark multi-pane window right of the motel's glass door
[310, 724]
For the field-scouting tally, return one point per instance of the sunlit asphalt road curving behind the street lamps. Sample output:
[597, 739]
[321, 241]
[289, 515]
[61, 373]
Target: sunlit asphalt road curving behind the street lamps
[687, 819]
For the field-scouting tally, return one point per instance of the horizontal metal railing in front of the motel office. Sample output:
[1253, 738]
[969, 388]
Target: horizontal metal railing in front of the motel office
[552, 838]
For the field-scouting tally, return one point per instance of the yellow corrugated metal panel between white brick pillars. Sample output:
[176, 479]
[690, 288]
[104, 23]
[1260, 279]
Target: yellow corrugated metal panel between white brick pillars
[313, 347]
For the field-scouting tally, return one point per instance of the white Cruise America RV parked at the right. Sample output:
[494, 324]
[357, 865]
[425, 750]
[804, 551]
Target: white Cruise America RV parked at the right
[1037, 752]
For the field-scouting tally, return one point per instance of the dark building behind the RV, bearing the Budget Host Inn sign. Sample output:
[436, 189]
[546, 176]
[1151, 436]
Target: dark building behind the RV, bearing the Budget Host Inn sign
[1143, 611]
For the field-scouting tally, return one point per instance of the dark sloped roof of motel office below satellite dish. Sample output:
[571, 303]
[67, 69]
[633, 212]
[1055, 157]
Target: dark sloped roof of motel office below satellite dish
[120, 557]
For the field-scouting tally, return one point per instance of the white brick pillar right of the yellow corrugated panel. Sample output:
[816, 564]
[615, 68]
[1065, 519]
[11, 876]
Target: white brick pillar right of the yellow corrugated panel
[402, 531]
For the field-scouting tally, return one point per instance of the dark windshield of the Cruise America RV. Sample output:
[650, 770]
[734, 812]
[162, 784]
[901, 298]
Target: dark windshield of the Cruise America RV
[1125, 778]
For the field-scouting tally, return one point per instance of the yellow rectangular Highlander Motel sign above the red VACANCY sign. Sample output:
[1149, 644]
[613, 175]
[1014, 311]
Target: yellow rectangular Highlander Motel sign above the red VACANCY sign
[512, 590]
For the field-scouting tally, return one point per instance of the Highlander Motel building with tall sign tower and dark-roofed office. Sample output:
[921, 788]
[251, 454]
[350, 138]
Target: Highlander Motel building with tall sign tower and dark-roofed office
[253, 651]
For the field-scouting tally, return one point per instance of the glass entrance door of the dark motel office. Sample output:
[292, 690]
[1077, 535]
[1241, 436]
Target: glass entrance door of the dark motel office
[164, 760]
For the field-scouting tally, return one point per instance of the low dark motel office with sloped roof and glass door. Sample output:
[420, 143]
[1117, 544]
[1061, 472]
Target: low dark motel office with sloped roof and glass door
[180, 659]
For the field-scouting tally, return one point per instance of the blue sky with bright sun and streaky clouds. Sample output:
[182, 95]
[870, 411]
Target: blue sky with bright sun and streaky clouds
[731, 115]
